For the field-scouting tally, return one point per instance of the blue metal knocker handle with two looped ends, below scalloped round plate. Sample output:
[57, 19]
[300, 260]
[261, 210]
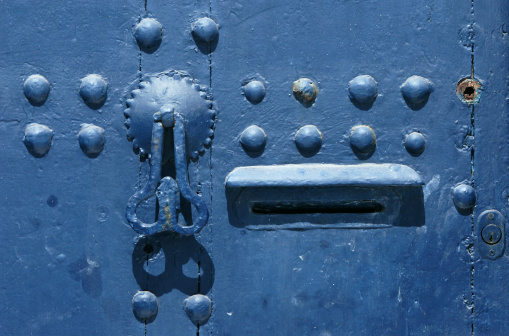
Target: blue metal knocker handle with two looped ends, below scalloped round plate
[167, 190]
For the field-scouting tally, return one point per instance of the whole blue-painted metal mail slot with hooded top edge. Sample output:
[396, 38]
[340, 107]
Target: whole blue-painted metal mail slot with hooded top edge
[324, 196]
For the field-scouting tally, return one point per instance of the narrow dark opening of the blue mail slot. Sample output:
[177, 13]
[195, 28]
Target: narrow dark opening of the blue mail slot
[296, 207]
